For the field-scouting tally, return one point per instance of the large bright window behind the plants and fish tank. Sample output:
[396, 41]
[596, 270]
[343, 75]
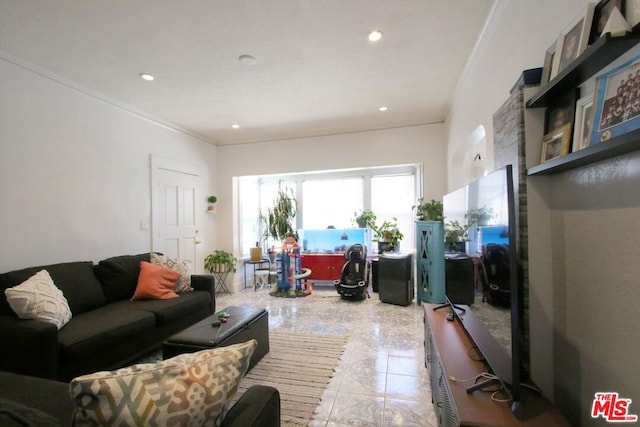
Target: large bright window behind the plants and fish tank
[331, 198]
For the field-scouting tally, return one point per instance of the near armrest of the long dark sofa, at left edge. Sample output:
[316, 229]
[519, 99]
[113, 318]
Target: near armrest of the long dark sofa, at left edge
[29, 347]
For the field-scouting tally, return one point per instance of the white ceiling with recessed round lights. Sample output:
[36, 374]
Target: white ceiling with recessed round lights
[315, 72]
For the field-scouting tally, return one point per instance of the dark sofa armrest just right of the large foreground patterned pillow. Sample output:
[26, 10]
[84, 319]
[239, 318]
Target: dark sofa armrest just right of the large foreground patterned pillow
[258, 406]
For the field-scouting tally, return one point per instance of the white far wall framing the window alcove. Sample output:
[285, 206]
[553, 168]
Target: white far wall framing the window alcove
[414, 144]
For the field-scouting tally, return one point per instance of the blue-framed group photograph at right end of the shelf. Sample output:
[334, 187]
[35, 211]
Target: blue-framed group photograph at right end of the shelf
[616, 104]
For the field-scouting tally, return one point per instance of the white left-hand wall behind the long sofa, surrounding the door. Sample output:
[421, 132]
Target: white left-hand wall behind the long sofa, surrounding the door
[75, 173]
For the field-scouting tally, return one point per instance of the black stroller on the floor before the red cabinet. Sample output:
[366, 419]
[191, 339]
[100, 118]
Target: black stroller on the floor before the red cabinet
[354, 278]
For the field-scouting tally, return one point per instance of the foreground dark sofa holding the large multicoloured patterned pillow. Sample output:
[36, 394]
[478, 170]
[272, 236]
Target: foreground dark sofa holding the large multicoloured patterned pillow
[28, 401]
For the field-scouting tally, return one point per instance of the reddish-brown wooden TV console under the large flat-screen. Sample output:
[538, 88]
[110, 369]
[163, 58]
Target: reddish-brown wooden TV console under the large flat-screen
[449, 354]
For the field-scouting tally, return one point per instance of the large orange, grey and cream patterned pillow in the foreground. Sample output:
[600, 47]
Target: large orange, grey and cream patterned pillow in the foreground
[191, 389]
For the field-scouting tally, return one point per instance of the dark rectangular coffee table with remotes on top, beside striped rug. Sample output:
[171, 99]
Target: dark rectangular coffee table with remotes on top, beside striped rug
[243, 324]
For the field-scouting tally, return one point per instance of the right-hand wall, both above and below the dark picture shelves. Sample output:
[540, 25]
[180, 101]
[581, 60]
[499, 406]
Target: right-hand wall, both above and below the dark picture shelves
[588, 214]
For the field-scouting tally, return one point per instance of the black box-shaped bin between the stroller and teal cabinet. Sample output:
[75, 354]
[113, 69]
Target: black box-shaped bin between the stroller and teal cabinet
[395, 278]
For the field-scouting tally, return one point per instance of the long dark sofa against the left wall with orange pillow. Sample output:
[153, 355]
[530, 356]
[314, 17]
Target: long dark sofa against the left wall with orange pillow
[107, 330]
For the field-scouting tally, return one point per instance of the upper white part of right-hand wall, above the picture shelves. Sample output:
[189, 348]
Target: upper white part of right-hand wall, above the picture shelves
[516, 39]
